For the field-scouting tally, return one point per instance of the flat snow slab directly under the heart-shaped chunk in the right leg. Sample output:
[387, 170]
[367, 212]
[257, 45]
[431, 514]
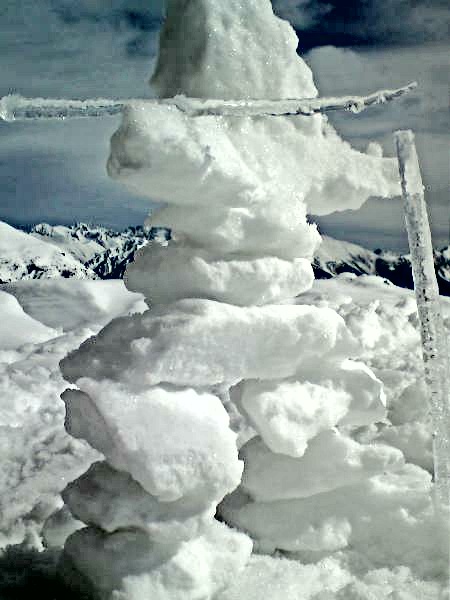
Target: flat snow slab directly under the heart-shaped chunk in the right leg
[331, 461]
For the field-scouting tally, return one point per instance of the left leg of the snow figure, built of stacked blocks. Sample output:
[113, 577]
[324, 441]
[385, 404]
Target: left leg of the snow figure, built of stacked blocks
[170, 458]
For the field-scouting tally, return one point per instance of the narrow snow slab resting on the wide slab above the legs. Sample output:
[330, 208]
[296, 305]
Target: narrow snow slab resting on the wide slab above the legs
[166, 274]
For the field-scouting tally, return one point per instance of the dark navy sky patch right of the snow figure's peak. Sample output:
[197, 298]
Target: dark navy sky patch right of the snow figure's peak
[367, 22]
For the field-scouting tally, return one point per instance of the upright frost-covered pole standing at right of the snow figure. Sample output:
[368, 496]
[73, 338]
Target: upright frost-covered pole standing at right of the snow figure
[434, 344]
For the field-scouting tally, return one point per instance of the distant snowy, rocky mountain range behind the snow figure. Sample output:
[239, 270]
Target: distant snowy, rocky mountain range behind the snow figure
[93, 252]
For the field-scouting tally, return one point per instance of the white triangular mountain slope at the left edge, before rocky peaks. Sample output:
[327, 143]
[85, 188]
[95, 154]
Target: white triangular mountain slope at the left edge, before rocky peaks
[24, 257]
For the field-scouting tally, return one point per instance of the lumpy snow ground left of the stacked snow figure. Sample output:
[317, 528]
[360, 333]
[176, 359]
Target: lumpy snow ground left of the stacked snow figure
[38, 457]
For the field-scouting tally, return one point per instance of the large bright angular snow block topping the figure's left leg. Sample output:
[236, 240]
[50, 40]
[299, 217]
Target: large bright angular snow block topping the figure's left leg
[175, 443]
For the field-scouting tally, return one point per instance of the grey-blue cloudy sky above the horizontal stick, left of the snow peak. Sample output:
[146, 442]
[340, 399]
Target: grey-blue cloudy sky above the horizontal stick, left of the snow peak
[97, 52]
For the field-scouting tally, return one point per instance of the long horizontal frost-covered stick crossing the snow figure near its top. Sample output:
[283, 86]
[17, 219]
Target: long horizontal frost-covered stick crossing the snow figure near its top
[17, 108]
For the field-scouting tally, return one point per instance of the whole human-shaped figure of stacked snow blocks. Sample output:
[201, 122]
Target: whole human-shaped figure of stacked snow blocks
[223, 334]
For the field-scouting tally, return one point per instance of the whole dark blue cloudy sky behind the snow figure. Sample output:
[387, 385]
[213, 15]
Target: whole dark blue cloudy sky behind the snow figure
[55, 172]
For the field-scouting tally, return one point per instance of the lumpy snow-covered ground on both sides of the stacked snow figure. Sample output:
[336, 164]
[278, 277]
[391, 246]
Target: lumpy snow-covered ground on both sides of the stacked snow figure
[39, 458]
